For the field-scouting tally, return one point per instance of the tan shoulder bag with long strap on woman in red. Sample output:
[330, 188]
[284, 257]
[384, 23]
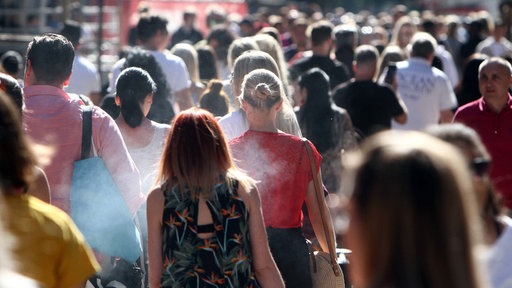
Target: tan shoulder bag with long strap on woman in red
[325, 271]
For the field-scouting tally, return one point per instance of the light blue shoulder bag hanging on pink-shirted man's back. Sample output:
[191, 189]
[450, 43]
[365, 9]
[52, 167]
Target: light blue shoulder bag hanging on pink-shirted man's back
[97, 207]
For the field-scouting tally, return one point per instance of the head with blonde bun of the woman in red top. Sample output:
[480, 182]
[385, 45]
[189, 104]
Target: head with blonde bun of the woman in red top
[262, 89]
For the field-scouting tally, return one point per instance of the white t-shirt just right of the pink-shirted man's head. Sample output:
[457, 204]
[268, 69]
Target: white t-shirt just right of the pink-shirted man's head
[85, 78]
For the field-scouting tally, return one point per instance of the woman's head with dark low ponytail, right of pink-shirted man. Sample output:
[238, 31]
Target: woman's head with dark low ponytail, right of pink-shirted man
[133, 86]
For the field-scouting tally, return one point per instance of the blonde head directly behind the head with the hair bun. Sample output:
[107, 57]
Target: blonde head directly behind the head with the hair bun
[249, 61]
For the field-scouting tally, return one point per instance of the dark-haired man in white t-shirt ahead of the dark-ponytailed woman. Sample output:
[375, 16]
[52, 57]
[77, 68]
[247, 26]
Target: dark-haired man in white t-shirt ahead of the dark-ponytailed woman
[153, 36]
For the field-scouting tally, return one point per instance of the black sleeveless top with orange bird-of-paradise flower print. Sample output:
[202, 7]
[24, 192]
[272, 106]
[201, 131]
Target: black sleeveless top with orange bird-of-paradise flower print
[224, 260]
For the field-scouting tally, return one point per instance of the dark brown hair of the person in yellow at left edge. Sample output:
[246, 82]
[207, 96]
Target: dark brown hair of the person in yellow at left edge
[16, 157]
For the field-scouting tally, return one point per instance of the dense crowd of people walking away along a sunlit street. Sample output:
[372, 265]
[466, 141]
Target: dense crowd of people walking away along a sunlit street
[407, 114]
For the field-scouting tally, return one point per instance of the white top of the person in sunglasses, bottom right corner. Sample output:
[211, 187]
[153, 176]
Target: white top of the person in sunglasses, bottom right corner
[499, 258]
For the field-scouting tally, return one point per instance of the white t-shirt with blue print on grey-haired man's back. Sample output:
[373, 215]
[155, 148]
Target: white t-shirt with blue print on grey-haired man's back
[425, 90]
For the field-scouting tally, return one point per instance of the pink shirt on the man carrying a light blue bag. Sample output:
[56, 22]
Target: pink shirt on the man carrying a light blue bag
[54, 119]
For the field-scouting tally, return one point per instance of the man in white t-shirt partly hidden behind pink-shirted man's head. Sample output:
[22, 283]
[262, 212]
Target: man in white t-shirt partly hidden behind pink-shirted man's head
[85, 79]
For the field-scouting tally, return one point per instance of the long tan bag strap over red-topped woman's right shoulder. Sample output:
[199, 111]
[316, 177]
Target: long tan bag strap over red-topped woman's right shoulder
[320, 198]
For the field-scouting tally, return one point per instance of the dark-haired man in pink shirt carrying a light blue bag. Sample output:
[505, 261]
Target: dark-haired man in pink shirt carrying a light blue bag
[53, 119]
